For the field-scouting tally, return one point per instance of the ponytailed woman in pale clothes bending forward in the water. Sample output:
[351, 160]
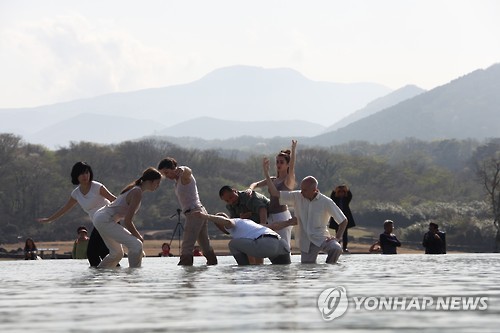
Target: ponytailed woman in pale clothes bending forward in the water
[123, 210]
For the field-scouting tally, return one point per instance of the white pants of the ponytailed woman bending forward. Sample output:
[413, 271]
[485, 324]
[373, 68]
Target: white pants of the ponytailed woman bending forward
[114, 235]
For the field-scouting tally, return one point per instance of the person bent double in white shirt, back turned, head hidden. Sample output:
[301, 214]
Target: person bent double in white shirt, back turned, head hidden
[252, 239]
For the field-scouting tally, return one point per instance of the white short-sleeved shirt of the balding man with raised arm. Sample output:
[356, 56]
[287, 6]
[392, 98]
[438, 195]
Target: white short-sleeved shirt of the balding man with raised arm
[313, 217]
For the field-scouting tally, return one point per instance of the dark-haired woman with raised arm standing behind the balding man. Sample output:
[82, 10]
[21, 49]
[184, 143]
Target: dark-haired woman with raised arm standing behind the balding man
[284, 181]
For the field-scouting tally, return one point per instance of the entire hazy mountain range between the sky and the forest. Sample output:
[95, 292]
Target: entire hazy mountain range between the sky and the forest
[266, 103]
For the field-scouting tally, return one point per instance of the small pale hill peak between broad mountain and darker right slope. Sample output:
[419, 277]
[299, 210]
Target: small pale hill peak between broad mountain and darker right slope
[379, 104]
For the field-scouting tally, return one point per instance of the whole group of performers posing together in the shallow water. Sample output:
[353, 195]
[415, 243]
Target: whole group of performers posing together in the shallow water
[260, 227]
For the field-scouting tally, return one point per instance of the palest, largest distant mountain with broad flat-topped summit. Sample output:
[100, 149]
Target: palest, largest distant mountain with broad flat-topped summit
[238, 93]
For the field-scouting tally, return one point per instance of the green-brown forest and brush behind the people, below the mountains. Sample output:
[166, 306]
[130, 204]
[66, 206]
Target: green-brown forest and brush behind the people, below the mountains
[411, 182]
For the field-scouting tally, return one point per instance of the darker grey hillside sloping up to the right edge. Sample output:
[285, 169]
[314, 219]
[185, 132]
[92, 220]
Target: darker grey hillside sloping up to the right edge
[468, 107]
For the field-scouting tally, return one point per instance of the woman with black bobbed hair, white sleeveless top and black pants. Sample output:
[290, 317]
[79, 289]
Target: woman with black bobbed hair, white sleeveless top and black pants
[91, 196]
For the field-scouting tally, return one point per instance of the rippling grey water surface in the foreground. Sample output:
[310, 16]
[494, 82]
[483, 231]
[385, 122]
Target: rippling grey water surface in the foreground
[67, 296]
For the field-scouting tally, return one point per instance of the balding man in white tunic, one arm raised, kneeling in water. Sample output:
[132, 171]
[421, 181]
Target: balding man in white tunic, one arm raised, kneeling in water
[313, 211]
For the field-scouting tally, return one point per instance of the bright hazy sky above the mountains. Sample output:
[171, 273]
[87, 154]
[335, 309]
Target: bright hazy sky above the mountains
[60, 50]
